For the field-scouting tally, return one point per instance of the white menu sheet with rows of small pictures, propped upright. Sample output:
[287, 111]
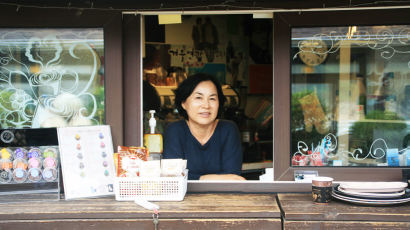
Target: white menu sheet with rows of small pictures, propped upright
[87, 163]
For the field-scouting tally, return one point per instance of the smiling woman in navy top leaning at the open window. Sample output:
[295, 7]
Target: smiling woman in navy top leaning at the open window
[211, 146]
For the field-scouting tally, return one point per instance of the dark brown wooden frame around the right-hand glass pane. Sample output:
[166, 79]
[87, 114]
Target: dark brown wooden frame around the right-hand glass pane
[283, 23]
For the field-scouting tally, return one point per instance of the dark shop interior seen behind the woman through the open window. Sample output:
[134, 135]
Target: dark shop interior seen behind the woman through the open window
[237, 50]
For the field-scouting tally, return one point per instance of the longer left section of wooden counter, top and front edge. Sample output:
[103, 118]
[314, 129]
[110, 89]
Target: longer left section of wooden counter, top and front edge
[197, 211]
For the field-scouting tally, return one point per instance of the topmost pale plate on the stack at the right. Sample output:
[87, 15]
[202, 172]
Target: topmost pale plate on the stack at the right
[373, 186]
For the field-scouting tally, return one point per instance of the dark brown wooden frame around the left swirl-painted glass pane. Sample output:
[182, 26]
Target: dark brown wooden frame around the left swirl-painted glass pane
[110, 21]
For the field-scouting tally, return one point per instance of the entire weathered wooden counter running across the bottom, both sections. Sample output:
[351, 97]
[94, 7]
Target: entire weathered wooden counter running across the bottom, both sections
[204, 211]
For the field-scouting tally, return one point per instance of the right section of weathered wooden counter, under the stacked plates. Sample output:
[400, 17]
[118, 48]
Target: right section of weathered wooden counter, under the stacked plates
[299, 212]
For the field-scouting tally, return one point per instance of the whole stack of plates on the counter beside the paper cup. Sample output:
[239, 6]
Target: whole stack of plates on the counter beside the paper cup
[372, 193]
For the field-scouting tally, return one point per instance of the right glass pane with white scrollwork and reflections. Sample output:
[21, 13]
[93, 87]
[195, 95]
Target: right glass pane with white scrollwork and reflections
[350, 96]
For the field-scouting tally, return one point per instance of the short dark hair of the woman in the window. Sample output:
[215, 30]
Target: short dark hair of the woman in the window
[186, 88]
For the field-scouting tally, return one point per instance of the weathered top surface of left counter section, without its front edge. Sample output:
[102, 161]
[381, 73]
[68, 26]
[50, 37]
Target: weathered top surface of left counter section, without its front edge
[193, 206]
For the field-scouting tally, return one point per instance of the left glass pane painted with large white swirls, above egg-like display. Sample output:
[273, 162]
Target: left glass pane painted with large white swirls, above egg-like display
[51, 77]
